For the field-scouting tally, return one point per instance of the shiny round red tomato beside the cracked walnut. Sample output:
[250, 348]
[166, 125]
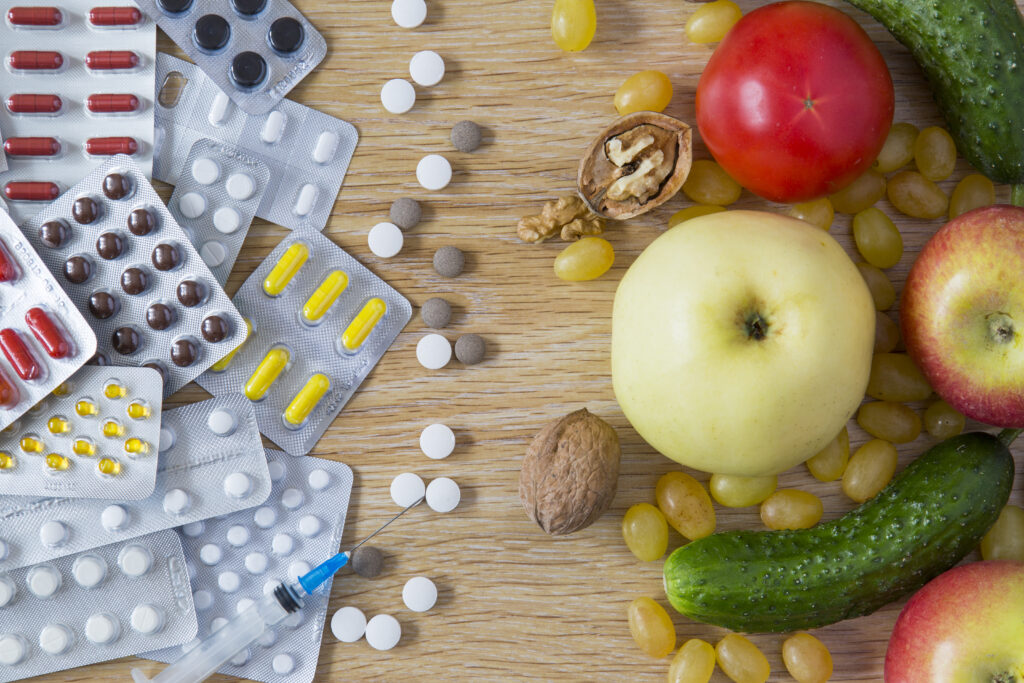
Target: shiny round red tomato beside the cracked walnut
[796, 103]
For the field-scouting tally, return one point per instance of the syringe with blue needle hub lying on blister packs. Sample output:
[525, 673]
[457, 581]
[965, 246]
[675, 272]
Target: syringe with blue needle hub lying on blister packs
[204, 660]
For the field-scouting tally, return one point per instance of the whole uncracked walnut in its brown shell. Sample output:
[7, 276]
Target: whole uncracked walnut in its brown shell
[571, 474]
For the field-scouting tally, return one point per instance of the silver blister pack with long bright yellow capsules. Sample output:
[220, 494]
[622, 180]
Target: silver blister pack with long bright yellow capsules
[320, 322]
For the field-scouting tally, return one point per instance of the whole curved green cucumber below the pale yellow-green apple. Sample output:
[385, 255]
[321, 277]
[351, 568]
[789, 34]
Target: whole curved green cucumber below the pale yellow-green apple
[925, 522]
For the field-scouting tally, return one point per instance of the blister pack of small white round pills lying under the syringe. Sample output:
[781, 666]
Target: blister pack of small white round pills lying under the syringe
[241, 558]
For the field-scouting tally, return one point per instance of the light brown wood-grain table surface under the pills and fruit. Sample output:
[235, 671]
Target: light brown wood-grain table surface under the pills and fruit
[515, 604]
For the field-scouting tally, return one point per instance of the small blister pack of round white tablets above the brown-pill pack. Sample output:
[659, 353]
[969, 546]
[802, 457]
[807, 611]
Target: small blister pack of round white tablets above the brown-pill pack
[216, 200]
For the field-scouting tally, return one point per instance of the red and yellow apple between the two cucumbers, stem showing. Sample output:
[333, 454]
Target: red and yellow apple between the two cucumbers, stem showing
[963, 315]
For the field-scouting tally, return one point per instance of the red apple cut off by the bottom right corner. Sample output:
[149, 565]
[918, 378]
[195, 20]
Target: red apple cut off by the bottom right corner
[967, 626]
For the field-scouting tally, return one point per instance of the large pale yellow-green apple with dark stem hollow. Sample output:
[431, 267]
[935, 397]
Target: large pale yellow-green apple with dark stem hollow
[742, 343]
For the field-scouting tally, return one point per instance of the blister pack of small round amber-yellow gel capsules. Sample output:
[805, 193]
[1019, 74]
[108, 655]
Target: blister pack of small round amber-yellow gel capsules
[96, 437]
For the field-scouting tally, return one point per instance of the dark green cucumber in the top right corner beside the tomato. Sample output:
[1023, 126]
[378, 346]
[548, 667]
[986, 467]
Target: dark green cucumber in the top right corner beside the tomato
[972, 53]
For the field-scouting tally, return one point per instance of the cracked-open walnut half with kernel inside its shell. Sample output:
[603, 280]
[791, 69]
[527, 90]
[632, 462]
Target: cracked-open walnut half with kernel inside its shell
[635, 164]
